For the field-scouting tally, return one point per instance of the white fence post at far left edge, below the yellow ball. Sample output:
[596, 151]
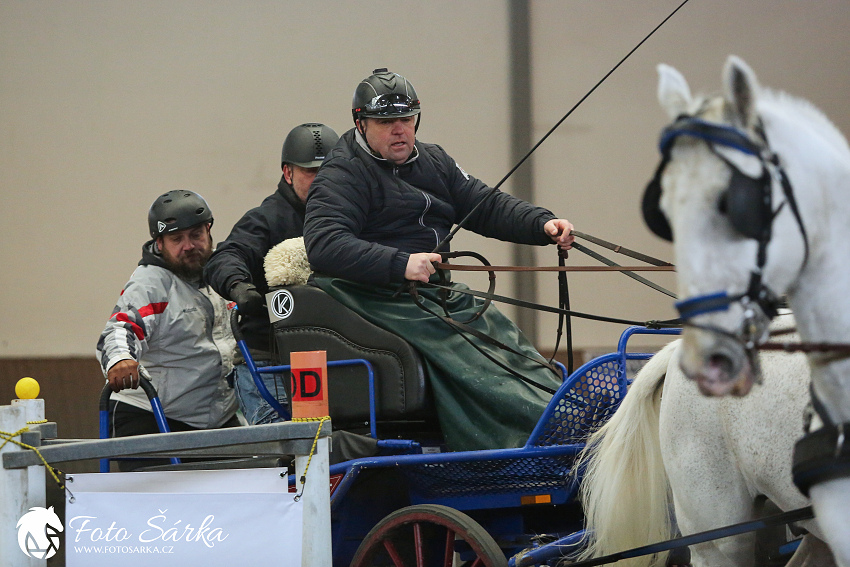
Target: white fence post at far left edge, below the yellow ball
[14, 498]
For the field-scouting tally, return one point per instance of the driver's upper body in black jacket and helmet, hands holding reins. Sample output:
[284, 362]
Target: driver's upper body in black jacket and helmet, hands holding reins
[385, 200]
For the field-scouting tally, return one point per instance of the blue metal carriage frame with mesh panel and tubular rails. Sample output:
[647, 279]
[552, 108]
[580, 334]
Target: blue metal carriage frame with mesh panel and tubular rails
[495, 487]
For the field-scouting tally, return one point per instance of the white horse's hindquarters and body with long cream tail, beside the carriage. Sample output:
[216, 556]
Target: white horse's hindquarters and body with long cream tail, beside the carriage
[669, 448]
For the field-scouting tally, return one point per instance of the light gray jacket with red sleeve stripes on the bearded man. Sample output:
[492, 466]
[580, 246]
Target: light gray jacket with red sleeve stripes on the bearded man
[180, 332]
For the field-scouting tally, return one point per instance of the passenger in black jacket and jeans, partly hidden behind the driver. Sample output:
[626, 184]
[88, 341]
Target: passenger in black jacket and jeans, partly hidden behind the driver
[236, 270]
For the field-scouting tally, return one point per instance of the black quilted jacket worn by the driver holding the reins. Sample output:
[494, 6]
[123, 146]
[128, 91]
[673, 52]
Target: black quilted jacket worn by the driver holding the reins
[365, 215]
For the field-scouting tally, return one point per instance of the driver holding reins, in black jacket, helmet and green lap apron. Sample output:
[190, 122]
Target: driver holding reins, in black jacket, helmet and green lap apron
[379, 205]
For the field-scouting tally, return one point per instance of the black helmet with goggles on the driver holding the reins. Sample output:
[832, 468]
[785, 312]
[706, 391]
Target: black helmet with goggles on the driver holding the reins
[383, 95]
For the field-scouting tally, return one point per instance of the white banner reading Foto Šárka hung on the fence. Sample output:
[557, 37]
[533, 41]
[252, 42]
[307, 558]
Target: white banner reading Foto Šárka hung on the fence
[211, 518]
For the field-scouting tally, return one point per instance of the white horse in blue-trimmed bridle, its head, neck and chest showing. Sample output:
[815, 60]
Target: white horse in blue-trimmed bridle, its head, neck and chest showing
[743, 234]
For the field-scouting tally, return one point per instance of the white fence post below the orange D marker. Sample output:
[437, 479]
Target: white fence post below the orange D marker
[316, 537]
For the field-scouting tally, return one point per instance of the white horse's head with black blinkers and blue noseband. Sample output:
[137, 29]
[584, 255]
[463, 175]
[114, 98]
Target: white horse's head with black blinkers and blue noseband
[719, 191]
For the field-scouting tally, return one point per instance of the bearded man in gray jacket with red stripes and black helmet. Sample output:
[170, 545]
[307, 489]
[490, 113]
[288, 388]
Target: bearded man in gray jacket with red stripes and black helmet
[172, 324]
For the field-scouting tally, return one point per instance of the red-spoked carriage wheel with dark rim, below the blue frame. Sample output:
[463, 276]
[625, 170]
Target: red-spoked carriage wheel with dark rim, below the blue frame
[428, 535]
